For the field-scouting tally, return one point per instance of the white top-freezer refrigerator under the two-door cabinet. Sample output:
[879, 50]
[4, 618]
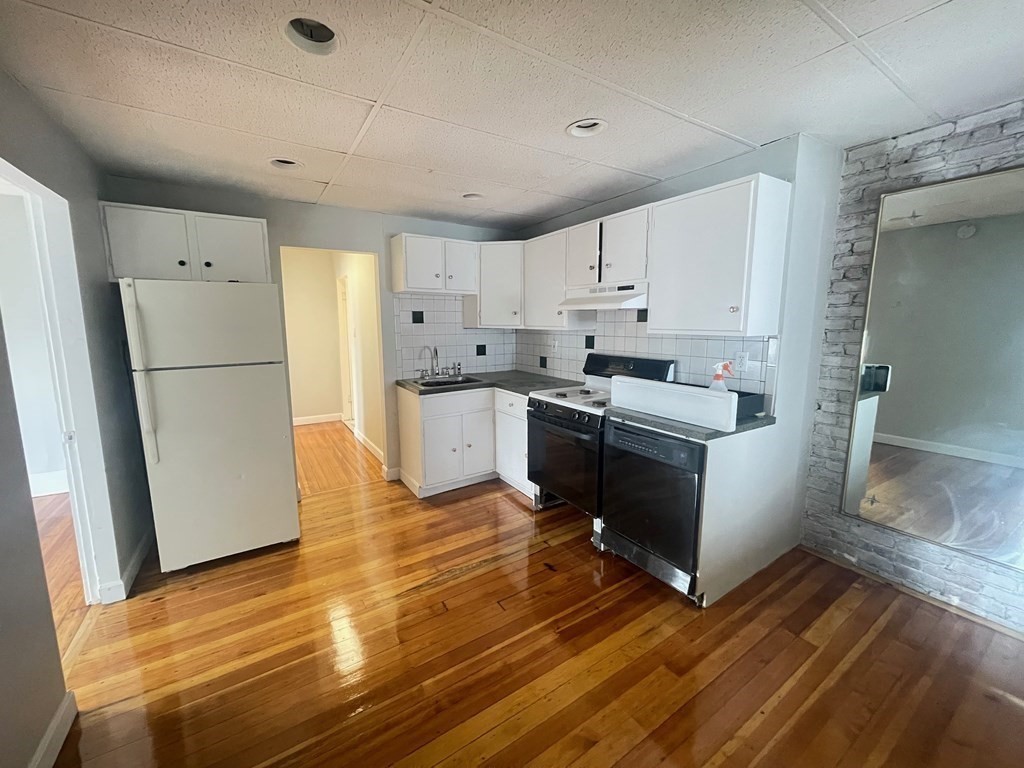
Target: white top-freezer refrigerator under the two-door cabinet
[208, 366]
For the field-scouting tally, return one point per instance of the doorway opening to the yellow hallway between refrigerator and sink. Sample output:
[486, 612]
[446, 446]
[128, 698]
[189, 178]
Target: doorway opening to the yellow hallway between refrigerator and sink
[336, 366]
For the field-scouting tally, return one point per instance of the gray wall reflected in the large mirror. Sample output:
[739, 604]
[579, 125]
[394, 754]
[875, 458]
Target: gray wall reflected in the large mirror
[941, 314]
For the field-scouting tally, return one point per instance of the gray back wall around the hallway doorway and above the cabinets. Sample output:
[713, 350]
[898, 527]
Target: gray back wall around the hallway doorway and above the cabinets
[305, 226]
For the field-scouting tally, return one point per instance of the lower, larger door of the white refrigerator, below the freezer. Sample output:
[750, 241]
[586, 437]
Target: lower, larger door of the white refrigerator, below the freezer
[219, 446]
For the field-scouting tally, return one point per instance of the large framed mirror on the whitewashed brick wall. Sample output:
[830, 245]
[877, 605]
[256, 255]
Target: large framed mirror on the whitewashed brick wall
[937, 445]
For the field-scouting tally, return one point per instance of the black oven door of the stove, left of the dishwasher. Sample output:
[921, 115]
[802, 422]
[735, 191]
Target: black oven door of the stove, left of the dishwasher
[566, 461]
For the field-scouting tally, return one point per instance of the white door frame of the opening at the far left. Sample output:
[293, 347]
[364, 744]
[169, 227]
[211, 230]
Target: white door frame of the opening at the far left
[50, 218]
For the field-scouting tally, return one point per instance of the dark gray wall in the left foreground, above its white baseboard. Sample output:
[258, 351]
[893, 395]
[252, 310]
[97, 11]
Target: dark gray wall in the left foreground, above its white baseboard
[30, 661]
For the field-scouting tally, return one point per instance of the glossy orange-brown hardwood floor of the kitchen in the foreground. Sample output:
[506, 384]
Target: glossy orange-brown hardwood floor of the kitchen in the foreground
[466, 629]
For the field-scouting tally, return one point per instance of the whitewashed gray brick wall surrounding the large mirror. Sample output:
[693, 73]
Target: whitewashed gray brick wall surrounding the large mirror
[977, 144]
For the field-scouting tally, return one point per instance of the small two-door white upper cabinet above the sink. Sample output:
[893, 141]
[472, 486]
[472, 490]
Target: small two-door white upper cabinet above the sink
[425, 265]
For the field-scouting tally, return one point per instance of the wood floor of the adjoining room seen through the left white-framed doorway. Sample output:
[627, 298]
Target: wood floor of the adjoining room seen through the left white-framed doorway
[64, 577]
